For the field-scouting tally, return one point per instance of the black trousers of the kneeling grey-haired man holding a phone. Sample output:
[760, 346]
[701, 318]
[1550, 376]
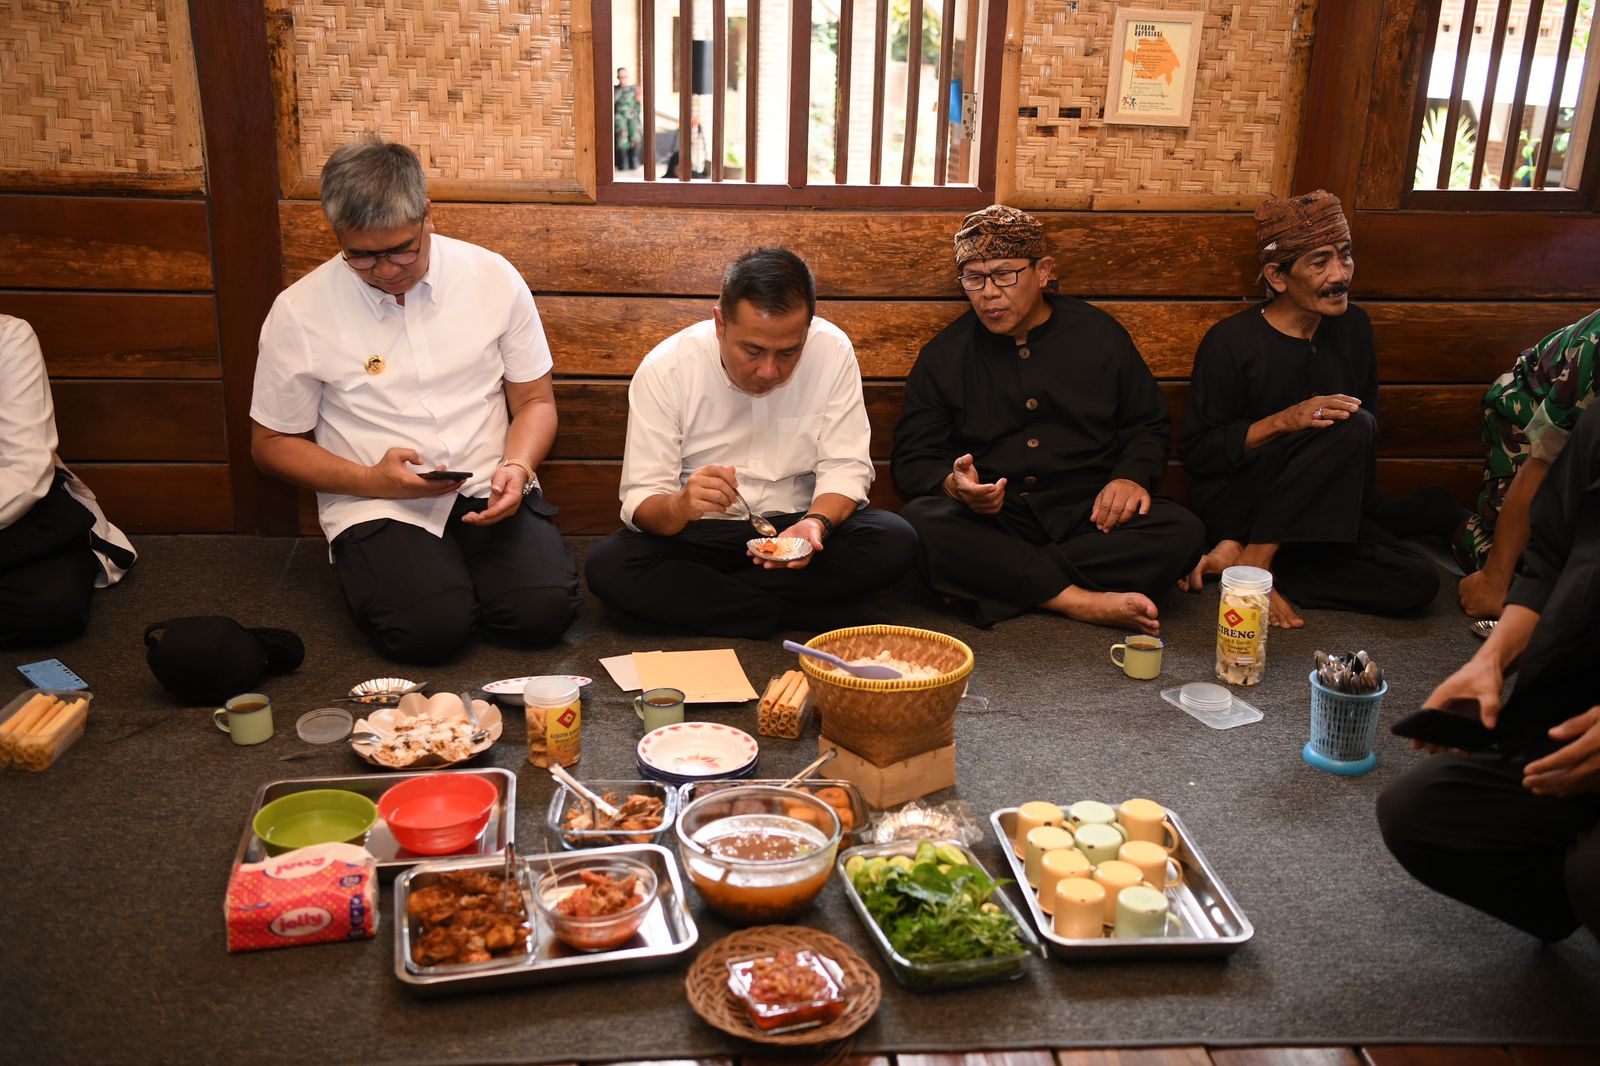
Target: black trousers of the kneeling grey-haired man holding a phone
[418, 598]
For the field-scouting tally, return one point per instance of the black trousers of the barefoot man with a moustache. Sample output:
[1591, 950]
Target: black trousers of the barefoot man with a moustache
[1311, 494]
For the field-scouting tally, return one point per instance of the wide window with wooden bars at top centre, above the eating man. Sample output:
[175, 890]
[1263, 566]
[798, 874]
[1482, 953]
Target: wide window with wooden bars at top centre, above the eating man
[842, 103]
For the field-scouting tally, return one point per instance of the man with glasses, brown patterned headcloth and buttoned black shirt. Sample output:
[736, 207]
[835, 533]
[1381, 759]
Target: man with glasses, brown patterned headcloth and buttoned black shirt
[1031, 439]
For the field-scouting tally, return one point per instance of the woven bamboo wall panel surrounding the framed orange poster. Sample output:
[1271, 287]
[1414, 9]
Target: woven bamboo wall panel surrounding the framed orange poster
[1246, 106]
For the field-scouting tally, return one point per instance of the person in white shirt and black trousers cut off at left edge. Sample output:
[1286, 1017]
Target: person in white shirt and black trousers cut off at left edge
[55, 543]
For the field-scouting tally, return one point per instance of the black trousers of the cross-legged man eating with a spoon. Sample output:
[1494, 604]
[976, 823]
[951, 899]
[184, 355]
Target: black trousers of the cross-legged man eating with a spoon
[703, 579]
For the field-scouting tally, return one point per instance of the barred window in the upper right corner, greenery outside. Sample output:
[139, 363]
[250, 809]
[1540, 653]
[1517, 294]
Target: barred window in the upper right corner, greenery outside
[1506, 106]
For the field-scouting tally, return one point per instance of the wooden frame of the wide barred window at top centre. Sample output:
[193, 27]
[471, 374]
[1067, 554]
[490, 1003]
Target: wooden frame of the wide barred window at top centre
[796, 193]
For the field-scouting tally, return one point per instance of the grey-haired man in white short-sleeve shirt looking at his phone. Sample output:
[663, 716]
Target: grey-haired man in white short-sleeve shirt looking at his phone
[409, 383]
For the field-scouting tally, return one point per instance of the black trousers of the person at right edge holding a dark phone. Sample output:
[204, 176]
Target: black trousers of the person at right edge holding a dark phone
[1470, 830]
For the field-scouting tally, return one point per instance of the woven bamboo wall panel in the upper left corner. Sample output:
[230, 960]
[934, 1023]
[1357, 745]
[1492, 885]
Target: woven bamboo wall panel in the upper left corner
[98, 95]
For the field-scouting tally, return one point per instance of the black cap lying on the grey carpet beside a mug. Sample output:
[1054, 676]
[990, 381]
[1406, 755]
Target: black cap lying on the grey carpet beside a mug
[212, 659]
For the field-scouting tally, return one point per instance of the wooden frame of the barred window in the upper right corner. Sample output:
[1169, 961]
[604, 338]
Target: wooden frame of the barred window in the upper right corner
[1586, 198]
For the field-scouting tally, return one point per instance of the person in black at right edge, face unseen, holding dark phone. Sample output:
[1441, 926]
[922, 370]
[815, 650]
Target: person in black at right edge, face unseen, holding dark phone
[1518, 833]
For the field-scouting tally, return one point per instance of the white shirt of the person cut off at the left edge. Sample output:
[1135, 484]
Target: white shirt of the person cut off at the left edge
[28, 427]
